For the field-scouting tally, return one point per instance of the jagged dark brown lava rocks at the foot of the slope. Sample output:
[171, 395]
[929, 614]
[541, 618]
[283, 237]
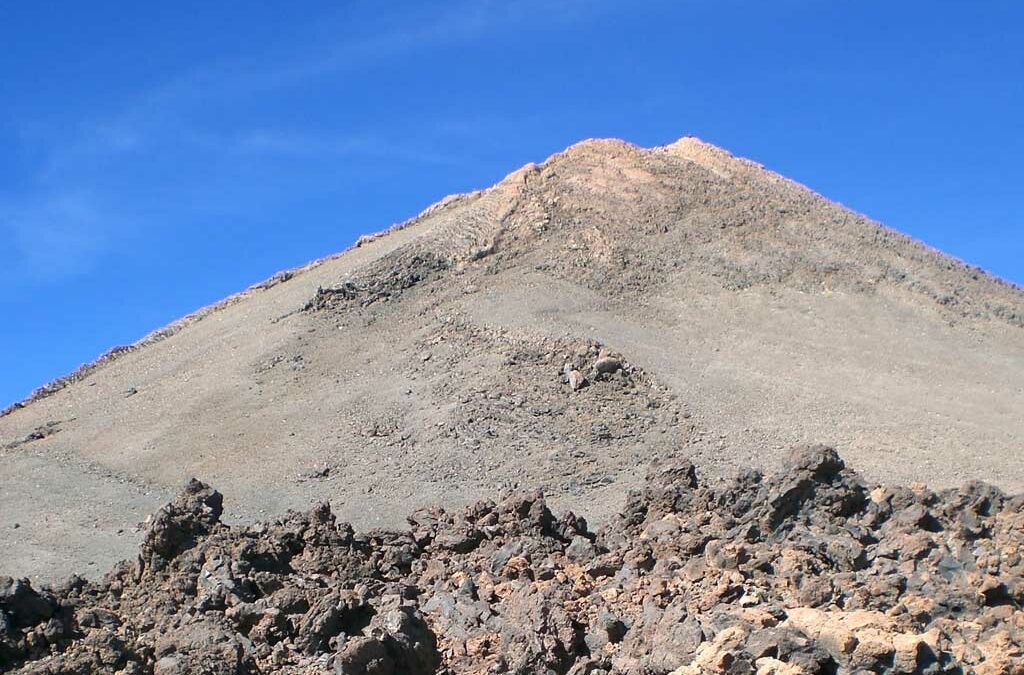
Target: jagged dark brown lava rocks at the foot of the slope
[809, 571]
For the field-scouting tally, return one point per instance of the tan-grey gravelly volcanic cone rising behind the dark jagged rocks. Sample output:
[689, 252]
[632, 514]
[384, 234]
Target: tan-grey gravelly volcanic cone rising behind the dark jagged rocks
[584, 317]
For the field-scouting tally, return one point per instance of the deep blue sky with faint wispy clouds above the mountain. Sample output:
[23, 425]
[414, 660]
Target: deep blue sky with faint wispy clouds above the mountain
[158, 157]
